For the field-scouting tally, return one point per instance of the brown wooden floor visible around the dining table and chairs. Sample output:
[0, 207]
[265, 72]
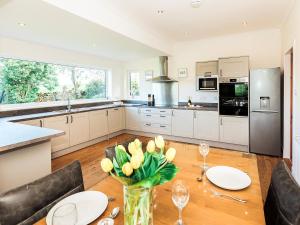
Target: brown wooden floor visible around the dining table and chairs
[91, 156]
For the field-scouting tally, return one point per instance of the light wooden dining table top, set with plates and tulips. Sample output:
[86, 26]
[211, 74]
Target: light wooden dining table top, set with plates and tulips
[203, 207]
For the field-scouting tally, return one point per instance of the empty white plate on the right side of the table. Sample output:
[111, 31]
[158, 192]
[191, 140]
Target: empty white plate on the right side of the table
[228, 177]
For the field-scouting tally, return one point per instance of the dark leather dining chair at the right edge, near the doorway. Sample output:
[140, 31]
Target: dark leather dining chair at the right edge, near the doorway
[282, 206]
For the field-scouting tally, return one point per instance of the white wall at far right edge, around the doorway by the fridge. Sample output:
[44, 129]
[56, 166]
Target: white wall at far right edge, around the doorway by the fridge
[291, 38]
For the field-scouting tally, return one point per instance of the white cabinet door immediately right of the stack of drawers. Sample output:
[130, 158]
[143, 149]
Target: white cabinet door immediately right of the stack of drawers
[183, 123]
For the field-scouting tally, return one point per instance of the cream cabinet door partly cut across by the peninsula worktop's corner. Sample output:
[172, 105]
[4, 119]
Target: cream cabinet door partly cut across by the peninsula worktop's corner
[59, 123]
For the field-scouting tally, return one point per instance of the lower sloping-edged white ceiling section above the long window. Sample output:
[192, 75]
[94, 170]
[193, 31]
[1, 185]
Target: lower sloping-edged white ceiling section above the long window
[55, 27]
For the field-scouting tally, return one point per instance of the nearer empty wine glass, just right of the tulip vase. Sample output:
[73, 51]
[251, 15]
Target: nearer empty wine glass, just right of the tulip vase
[180, 197]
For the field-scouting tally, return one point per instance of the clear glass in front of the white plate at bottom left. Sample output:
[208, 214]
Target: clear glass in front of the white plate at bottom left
[65, 214]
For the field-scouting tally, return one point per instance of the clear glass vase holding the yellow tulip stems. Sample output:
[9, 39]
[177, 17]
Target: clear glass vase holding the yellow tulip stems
[138, 206]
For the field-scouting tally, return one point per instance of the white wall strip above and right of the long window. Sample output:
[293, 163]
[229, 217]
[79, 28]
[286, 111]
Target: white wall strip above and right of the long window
[12, 48]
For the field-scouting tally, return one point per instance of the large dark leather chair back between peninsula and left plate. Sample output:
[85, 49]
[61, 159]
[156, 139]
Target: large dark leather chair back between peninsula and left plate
[29, 203]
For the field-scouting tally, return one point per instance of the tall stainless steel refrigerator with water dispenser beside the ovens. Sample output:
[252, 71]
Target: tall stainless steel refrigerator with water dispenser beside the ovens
[265, 112]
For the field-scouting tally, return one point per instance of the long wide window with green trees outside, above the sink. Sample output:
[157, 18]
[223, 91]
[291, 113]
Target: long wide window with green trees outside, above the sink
[25, 81]
